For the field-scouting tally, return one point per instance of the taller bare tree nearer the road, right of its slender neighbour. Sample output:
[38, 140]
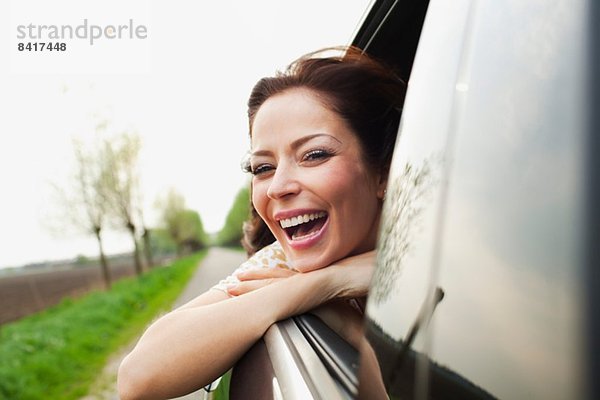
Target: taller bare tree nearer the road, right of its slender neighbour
[122, 182]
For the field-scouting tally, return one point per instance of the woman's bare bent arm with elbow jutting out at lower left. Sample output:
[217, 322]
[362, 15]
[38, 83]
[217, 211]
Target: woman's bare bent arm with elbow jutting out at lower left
[191, 346]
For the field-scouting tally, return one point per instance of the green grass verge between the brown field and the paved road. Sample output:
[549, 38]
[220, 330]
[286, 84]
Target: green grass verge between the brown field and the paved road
[57, 353]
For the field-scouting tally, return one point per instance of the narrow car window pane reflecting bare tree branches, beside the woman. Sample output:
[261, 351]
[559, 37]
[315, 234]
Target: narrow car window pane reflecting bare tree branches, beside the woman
[402, 281]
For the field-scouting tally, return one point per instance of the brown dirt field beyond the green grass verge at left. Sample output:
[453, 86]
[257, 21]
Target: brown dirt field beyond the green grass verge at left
[25, 294]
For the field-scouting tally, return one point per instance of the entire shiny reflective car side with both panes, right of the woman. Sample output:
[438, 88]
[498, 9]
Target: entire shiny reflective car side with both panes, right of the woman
[481, 289]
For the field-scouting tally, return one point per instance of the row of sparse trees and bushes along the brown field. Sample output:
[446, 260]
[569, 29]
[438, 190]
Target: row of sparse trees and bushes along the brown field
[105, 192]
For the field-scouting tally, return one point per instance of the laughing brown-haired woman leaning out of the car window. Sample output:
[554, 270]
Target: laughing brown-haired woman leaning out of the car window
[322, 134]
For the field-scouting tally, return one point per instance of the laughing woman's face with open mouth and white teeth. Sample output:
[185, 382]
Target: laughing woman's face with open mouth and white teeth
[310, 184]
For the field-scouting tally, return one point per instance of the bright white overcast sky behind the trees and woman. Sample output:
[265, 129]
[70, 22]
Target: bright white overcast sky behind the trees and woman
[183, 89]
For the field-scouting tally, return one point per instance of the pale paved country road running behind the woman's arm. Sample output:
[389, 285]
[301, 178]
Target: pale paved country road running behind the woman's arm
[217, 264]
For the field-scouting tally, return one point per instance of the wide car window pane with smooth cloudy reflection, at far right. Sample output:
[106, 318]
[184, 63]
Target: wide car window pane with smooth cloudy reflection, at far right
[508, 324]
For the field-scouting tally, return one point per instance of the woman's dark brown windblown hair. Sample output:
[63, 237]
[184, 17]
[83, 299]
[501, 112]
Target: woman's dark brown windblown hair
[364, 92]
